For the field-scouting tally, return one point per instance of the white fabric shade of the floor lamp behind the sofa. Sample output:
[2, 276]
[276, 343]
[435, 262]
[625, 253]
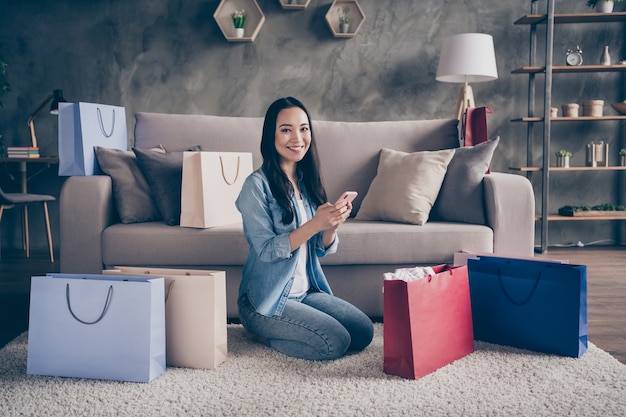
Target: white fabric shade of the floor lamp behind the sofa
[467, 57]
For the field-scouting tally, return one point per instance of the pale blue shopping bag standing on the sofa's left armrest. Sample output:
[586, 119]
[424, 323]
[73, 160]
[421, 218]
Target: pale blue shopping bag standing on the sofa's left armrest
[83, 126]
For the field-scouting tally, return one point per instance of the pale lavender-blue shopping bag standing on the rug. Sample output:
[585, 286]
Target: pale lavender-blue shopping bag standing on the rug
[96, 326]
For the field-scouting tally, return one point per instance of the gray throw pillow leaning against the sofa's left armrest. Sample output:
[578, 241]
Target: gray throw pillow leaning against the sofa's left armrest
[131, 191]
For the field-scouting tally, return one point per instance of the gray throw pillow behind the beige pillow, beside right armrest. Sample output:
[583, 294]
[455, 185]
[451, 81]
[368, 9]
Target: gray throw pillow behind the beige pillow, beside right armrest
[461, 196]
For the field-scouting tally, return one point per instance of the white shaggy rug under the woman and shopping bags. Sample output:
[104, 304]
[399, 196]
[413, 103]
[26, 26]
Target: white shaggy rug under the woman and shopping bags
[257, 381]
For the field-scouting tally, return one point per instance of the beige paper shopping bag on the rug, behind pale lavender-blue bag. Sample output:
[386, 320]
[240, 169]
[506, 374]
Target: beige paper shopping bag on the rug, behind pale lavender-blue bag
[195, 314]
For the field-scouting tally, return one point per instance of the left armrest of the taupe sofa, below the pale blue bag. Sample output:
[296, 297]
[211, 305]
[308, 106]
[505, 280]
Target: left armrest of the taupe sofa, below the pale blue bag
[86, 209]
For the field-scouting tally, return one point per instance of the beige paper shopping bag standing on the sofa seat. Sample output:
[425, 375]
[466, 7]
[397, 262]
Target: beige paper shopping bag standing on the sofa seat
[211, 183]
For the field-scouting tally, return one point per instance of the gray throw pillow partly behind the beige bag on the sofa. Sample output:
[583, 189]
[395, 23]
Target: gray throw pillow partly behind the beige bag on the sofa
[164, 172]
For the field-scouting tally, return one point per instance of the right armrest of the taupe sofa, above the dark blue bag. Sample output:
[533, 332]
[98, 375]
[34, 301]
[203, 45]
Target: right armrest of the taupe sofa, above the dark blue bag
[510, 210]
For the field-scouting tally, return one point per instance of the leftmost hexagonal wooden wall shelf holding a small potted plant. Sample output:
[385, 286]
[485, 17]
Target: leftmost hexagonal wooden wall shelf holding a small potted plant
[254, 19]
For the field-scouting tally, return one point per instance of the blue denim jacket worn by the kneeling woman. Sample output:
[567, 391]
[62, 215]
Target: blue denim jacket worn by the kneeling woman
[270, 267]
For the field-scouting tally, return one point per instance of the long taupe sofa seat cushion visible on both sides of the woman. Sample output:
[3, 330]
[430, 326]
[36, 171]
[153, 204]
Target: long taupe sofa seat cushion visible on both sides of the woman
[360, 243]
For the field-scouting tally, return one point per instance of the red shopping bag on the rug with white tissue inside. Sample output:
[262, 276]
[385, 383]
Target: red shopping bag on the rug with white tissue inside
[427, 322]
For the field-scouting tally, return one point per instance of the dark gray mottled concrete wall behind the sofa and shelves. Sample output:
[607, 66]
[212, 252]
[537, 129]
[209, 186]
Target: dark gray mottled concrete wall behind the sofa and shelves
[170, 56]
